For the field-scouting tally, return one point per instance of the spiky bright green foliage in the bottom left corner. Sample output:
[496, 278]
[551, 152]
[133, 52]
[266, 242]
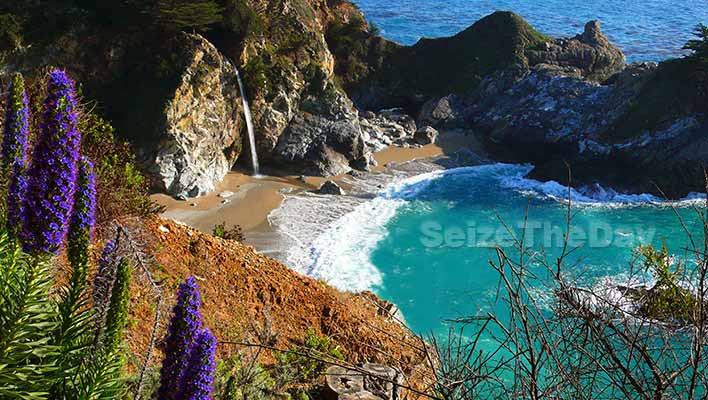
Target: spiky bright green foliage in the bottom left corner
[40, 359]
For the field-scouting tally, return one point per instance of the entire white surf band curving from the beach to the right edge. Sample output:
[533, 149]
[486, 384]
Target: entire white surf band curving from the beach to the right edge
[332, 238]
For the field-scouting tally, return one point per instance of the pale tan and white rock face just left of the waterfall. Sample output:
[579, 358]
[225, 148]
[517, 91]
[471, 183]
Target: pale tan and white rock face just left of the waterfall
[199, 138]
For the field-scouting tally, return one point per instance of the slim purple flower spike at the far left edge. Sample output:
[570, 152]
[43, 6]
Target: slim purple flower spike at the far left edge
[14, 150]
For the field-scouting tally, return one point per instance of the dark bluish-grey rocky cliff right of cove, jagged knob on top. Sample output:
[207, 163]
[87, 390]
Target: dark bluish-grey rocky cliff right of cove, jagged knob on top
[637, 128]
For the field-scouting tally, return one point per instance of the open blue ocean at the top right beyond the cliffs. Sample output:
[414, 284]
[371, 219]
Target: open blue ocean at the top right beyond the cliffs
[646, 30]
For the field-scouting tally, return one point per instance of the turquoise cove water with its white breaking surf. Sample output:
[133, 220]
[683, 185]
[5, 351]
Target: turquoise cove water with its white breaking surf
[425, 243]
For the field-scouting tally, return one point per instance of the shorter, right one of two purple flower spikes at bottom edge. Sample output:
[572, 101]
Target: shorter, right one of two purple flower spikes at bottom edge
[198, 379]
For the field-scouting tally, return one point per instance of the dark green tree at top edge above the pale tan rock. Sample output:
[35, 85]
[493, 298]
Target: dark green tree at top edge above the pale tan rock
[188, 14]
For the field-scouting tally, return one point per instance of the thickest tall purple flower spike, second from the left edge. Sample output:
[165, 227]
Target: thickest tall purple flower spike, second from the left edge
[52, 174]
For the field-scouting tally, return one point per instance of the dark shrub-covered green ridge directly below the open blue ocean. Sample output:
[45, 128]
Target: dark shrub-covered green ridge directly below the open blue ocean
[452, 65]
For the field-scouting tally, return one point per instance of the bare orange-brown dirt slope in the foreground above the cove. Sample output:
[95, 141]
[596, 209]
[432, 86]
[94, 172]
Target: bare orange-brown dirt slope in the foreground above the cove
[246, 293]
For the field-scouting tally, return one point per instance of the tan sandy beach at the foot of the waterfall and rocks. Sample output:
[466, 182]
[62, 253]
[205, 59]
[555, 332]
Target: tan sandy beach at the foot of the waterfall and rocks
[245, 200]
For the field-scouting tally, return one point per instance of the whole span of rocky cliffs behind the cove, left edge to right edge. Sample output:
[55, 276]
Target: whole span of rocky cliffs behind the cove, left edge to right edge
[318, 80]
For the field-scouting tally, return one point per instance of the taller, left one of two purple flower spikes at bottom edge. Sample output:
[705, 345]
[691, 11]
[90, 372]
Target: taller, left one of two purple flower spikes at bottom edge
[182, 332]
